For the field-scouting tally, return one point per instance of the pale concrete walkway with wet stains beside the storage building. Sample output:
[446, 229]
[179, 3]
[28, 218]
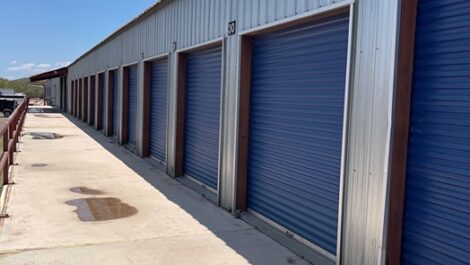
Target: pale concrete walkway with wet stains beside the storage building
[81, 199]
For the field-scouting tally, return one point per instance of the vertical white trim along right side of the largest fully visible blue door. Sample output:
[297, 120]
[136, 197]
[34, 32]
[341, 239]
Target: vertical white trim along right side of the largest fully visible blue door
[345, 134]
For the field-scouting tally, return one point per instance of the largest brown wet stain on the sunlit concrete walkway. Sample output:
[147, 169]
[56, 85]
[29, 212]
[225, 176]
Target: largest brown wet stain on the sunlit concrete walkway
[101, 209]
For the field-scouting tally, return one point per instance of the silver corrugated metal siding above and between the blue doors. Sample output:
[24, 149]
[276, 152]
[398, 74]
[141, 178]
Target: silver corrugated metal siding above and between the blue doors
[189, 23]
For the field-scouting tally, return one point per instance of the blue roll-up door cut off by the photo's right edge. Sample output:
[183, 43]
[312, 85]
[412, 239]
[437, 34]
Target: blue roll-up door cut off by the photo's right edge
[437, 203]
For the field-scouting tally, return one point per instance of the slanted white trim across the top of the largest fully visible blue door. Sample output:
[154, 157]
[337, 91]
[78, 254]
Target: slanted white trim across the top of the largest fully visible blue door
[315, 12]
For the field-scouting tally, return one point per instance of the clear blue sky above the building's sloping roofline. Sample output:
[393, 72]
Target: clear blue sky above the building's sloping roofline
[41, 35]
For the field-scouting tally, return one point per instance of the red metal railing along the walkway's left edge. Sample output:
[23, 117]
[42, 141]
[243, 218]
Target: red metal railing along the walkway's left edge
[10, 132]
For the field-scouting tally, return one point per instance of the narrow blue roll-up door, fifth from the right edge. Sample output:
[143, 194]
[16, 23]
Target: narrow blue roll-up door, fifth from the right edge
[132, 107]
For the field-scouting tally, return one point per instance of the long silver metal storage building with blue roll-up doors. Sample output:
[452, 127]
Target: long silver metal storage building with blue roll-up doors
[339, 127]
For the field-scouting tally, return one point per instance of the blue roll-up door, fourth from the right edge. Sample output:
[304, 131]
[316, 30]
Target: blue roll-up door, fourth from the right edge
[158, 110]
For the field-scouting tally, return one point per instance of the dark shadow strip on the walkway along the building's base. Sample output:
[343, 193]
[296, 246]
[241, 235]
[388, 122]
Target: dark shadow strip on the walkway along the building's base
[254, 246]
